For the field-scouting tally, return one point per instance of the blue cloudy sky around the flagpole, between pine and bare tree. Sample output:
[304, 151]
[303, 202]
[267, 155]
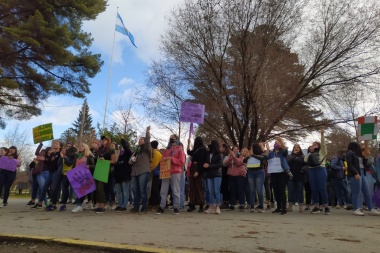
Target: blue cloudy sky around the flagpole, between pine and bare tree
[147, 21]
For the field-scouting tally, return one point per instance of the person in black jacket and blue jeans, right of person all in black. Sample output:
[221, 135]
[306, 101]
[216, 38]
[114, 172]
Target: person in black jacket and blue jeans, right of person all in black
[214, 177]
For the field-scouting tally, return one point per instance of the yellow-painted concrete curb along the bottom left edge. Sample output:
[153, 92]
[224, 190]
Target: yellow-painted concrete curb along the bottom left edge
[111, 247]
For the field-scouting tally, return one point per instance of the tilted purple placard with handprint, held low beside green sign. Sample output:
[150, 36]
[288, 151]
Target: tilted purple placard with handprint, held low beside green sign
[81, 180]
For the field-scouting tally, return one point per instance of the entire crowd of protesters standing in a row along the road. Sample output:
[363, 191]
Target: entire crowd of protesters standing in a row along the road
[208, 178]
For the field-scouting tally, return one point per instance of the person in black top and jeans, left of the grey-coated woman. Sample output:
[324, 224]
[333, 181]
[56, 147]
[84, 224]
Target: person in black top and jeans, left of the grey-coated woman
[122, 174]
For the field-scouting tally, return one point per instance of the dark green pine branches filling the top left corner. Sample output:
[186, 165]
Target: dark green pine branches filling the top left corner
[44, 52]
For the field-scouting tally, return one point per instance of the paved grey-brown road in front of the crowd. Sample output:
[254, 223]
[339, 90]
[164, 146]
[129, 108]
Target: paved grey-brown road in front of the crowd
[230, 232]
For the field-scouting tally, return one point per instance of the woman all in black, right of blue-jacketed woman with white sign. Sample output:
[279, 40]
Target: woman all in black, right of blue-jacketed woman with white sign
[296, 183]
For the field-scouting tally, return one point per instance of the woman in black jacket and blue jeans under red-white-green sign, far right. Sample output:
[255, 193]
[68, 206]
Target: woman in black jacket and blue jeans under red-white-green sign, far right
[358, 179]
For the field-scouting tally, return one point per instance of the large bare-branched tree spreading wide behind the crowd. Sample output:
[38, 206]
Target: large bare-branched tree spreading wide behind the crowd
[262, 68]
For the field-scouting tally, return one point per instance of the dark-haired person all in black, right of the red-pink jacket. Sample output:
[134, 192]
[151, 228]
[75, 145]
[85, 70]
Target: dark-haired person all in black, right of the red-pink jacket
[199, 157]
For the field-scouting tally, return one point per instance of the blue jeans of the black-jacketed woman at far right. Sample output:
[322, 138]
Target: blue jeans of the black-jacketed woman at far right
[358, 186]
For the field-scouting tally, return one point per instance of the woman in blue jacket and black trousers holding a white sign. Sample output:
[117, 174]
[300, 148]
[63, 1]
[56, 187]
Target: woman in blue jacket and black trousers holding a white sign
[278, 168]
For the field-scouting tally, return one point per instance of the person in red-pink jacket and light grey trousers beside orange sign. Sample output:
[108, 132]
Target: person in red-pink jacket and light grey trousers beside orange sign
[175, 156]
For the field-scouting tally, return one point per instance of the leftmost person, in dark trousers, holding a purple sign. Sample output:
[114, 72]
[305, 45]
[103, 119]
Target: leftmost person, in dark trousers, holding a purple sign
[9, 162]
